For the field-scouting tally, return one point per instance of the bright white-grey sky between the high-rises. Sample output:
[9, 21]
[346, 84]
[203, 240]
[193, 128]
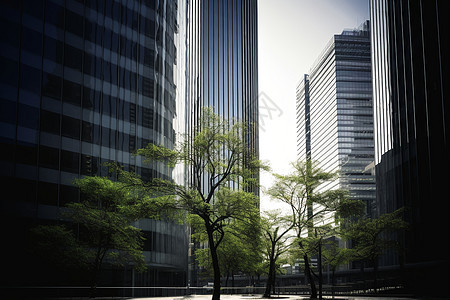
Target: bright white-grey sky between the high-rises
[291, 36]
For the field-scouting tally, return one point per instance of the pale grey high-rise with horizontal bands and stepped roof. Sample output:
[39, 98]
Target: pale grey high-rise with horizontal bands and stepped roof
[335, 117]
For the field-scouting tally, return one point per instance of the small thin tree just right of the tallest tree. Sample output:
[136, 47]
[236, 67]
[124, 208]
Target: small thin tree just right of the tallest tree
[275, 229]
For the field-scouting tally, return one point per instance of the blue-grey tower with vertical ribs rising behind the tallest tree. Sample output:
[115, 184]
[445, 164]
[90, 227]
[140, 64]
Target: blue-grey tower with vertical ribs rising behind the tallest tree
[222, 67]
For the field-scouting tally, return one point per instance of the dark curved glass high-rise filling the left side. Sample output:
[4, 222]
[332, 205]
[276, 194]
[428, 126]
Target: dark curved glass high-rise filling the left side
[82, 83]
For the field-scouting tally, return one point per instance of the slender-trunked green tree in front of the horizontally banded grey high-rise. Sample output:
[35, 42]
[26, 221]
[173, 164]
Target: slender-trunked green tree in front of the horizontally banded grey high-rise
[308, 206]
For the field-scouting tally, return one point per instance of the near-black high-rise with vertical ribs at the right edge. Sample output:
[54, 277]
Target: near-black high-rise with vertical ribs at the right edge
[412, 130]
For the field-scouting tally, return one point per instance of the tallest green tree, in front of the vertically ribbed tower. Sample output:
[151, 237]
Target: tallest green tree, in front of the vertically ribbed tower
[222, 167]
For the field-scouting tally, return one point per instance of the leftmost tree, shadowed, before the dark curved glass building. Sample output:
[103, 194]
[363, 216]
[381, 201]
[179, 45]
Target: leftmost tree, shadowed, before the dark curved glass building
[104, 218]
